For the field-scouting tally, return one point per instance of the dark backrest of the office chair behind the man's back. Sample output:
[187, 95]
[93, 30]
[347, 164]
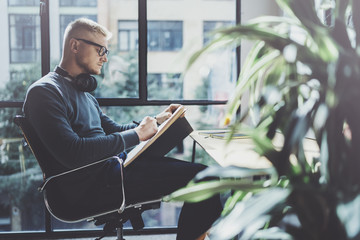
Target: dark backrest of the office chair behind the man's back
[48, 164]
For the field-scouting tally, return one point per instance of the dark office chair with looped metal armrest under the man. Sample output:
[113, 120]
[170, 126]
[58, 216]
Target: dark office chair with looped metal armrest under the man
[61, 186]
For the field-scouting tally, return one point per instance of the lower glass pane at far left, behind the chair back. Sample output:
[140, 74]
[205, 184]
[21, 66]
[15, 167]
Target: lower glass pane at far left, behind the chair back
[21, 204]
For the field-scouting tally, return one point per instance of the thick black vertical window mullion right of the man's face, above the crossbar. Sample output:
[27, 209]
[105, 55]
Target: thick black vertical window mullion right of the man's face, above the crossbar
[143, 94]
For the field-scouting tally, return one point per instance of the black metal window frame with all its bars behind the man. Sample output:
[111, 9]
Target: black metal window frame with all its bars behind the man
[142, 100]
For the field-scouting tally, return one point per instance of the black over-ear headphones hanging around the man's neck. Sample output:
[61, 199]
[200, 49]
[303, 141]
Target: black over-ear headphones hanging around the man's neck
[83, 82]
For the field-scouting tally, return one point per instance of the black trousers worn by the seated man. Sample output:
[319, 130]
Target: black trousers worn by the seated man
[155, 177]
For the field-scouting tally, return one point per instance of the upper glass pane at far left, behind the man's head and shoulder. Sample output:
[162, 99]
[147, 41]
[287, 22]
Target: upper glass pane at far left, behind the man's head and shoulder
[20, 61]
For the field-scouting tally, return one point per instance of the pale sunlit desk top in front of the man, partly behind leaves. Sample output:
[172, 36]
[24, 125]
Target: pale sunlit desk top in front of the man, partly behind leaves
[240, 152]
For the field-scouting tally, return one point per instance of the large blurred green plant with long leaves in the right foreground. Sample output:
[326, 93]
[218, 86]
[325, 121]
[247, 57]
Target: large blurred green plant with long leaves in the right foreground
[303, 76]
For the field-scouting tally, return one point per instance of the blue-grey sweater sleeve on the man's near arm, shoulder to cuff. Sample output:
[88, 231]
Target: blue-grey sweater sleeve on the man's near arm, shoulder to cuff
[47, 112]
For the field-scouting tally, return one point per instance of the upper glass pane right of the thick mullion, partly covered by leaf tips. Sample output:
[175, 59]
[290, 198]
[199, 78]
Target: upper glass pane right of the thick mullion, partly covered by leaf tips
[174, 33]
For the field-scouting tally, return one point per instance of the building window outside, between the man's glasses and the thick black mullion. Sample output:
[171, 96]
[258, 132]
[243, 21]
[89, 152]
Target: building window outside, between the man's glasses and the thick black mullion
[128, 36]
